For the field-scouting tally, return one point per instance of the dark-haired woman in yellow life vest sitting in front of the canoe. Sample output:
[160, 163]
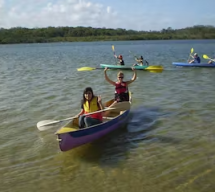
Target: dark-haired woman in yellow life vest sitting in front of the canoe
[90, 103]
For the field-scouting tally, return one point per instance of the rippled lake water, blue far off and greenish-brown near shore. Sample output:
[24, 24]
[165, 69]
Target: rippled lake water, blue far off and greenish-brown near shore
[168, 144]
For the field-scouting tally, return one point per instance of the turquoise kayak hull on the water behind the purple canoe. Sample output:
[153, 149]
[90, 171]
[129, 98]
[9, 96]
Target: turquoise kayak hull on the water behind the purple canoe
[124, 67]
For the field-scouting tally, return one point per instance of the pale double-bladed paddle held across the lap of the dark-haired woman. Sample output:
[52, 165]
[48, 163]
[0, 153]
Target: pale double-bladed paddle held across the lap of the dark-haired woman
[46, 124]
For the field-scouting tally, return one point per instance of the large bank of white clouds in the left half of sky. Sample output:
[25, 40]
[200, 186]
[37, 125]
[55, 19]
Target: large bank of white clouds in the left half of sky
[38, 13]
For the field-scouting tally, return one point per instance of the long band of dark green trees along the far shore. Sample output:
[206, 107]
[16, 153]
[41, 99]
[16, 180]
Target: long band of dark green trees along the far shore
[71, 34]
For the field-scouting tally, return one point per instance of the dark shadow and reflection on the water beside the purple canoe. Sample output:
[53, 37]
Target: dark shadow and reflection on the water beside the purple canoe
[114, 148]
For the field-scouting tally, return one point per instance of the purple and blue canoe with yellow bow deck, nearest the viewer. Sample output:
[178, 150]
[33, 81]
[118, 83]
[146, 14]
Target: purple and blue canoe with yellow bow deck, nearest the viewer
[70, 136]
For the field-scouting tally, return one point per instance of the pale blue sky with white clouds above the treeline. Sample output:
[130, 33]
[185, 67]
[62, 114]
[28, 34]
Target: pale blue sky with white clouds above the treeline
[127, 14]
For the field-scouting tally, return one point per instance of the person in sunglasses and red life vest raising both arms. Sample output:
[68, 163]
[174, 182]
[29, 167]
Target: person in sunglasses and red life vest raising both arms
[121, 87]
